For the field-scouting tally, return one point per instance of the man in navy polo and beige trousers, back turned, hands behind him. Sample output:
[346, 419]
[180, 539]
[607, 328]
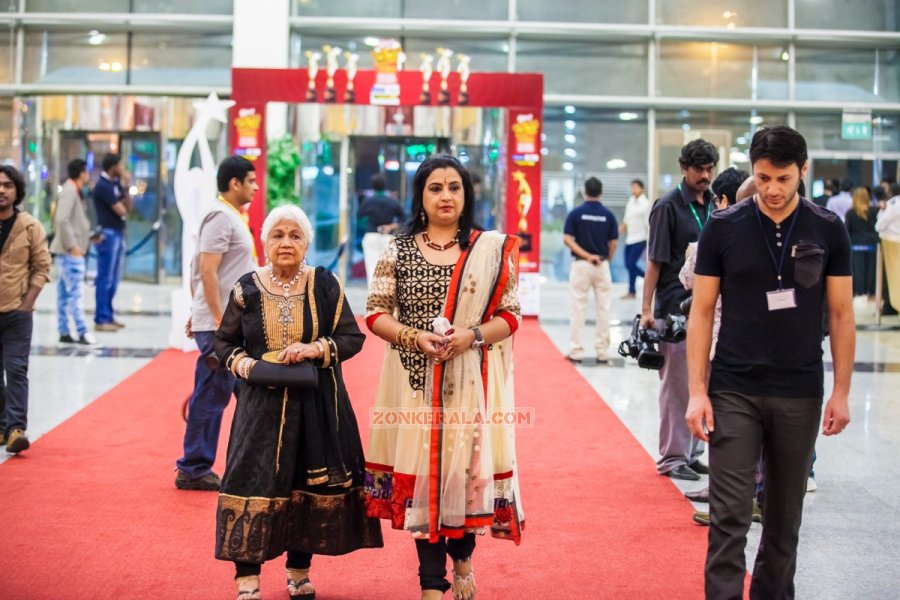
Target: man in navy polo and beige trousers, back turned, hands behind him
[590, 233]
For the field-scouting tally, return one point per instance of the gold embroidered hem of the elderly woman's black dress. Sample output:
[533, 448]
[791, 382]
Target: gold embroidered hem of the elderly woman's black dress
[254, 529]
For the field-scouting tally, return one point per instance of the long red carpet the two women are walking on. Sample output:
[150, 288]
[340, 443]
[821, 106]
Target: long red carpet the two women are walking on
[91, 509]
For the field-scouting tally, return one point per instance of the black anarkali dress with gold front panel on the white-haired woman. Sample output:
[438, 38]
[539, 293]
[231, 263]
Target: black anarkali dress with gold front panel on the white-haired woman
[294, 471]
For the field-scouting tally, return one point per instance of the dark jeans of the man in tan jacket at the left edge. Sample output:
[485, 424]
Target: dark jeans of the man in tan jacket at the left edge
[15, 345]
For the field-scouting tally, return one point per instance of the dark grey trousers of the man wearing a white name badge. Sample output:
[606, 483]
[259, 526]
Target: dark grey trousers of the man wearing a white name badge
[786, 429]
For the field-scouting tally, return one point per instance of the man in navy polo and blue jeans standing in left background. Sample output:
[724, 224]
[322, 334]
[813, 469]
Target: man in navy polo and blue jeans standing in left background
[113, 202]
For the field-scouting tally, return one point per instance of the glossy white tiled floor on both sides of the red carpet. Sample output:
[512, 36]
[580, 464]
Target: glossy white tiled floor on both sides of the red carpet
[850, 540]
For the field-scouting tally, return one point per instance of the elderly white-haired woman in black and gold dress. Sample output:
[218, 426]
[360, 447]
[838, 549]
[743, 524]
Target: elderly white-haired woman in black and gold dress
[294, 472]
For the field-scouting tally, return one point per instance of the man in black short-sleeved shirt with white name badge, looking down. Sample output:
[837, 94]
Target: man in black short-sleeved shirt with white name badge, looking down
[775, 259]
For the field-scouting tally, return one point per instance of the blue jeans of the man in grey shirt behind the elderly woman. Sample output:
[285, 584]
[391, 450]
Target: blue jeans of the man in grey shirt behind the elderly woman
[212, 391]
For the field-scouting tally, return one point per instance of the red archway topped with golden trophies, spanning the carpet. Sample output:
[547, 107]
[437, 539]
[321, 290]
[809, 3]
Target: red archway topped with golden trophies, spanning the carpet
[521, 93]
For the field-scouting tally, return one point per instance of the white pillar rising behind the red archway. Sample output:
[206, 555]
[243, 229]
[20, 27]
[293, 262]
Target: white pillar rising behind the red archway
[261, 39]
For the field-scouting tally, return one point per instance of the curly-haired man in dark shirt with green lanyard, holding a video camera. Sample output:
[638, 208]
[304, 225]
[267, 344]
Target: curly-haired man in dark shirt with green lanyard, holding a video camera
[676, 220]
